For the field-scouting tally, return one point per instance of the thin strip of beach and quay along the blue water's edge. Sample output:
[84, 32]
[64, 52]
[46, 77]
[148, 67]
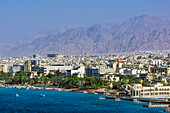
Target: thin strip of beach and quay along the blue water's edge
[88, 91]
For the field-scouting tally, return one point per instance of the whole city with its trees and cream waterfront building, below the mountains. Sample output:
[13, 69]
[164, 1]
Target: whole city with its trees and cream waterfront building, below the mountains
[129, 74]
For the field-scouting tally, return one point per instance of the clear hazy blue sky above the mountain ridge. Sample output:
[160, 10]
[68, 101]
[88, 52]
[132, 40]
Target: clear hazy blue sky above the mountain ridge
[22, 18]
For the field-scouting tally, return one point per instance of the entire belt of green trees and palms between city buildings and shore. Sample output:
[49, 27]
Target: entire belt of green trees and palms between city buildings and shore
[21, 77]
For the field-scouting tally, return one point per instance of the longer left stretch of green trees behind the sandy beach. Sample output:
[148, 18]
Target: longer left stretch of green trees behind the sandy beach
[21, 77]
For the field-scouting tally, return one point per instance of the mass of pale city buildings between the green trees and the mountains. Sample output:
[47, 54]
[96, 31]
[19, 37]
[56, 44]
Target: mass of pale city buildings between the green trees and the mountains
[146, 66]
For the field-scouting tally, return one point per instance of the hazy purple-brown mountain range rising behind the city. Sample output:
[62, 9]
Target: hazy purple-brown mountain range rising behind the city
[136, 34]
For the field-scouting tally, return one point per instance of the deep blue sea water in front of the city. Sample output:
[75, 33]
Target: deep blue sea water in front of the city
[29, 101]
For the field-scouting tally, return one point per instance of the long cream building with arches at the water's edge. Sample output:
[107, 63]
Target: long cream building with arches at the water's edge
[152, 91]
